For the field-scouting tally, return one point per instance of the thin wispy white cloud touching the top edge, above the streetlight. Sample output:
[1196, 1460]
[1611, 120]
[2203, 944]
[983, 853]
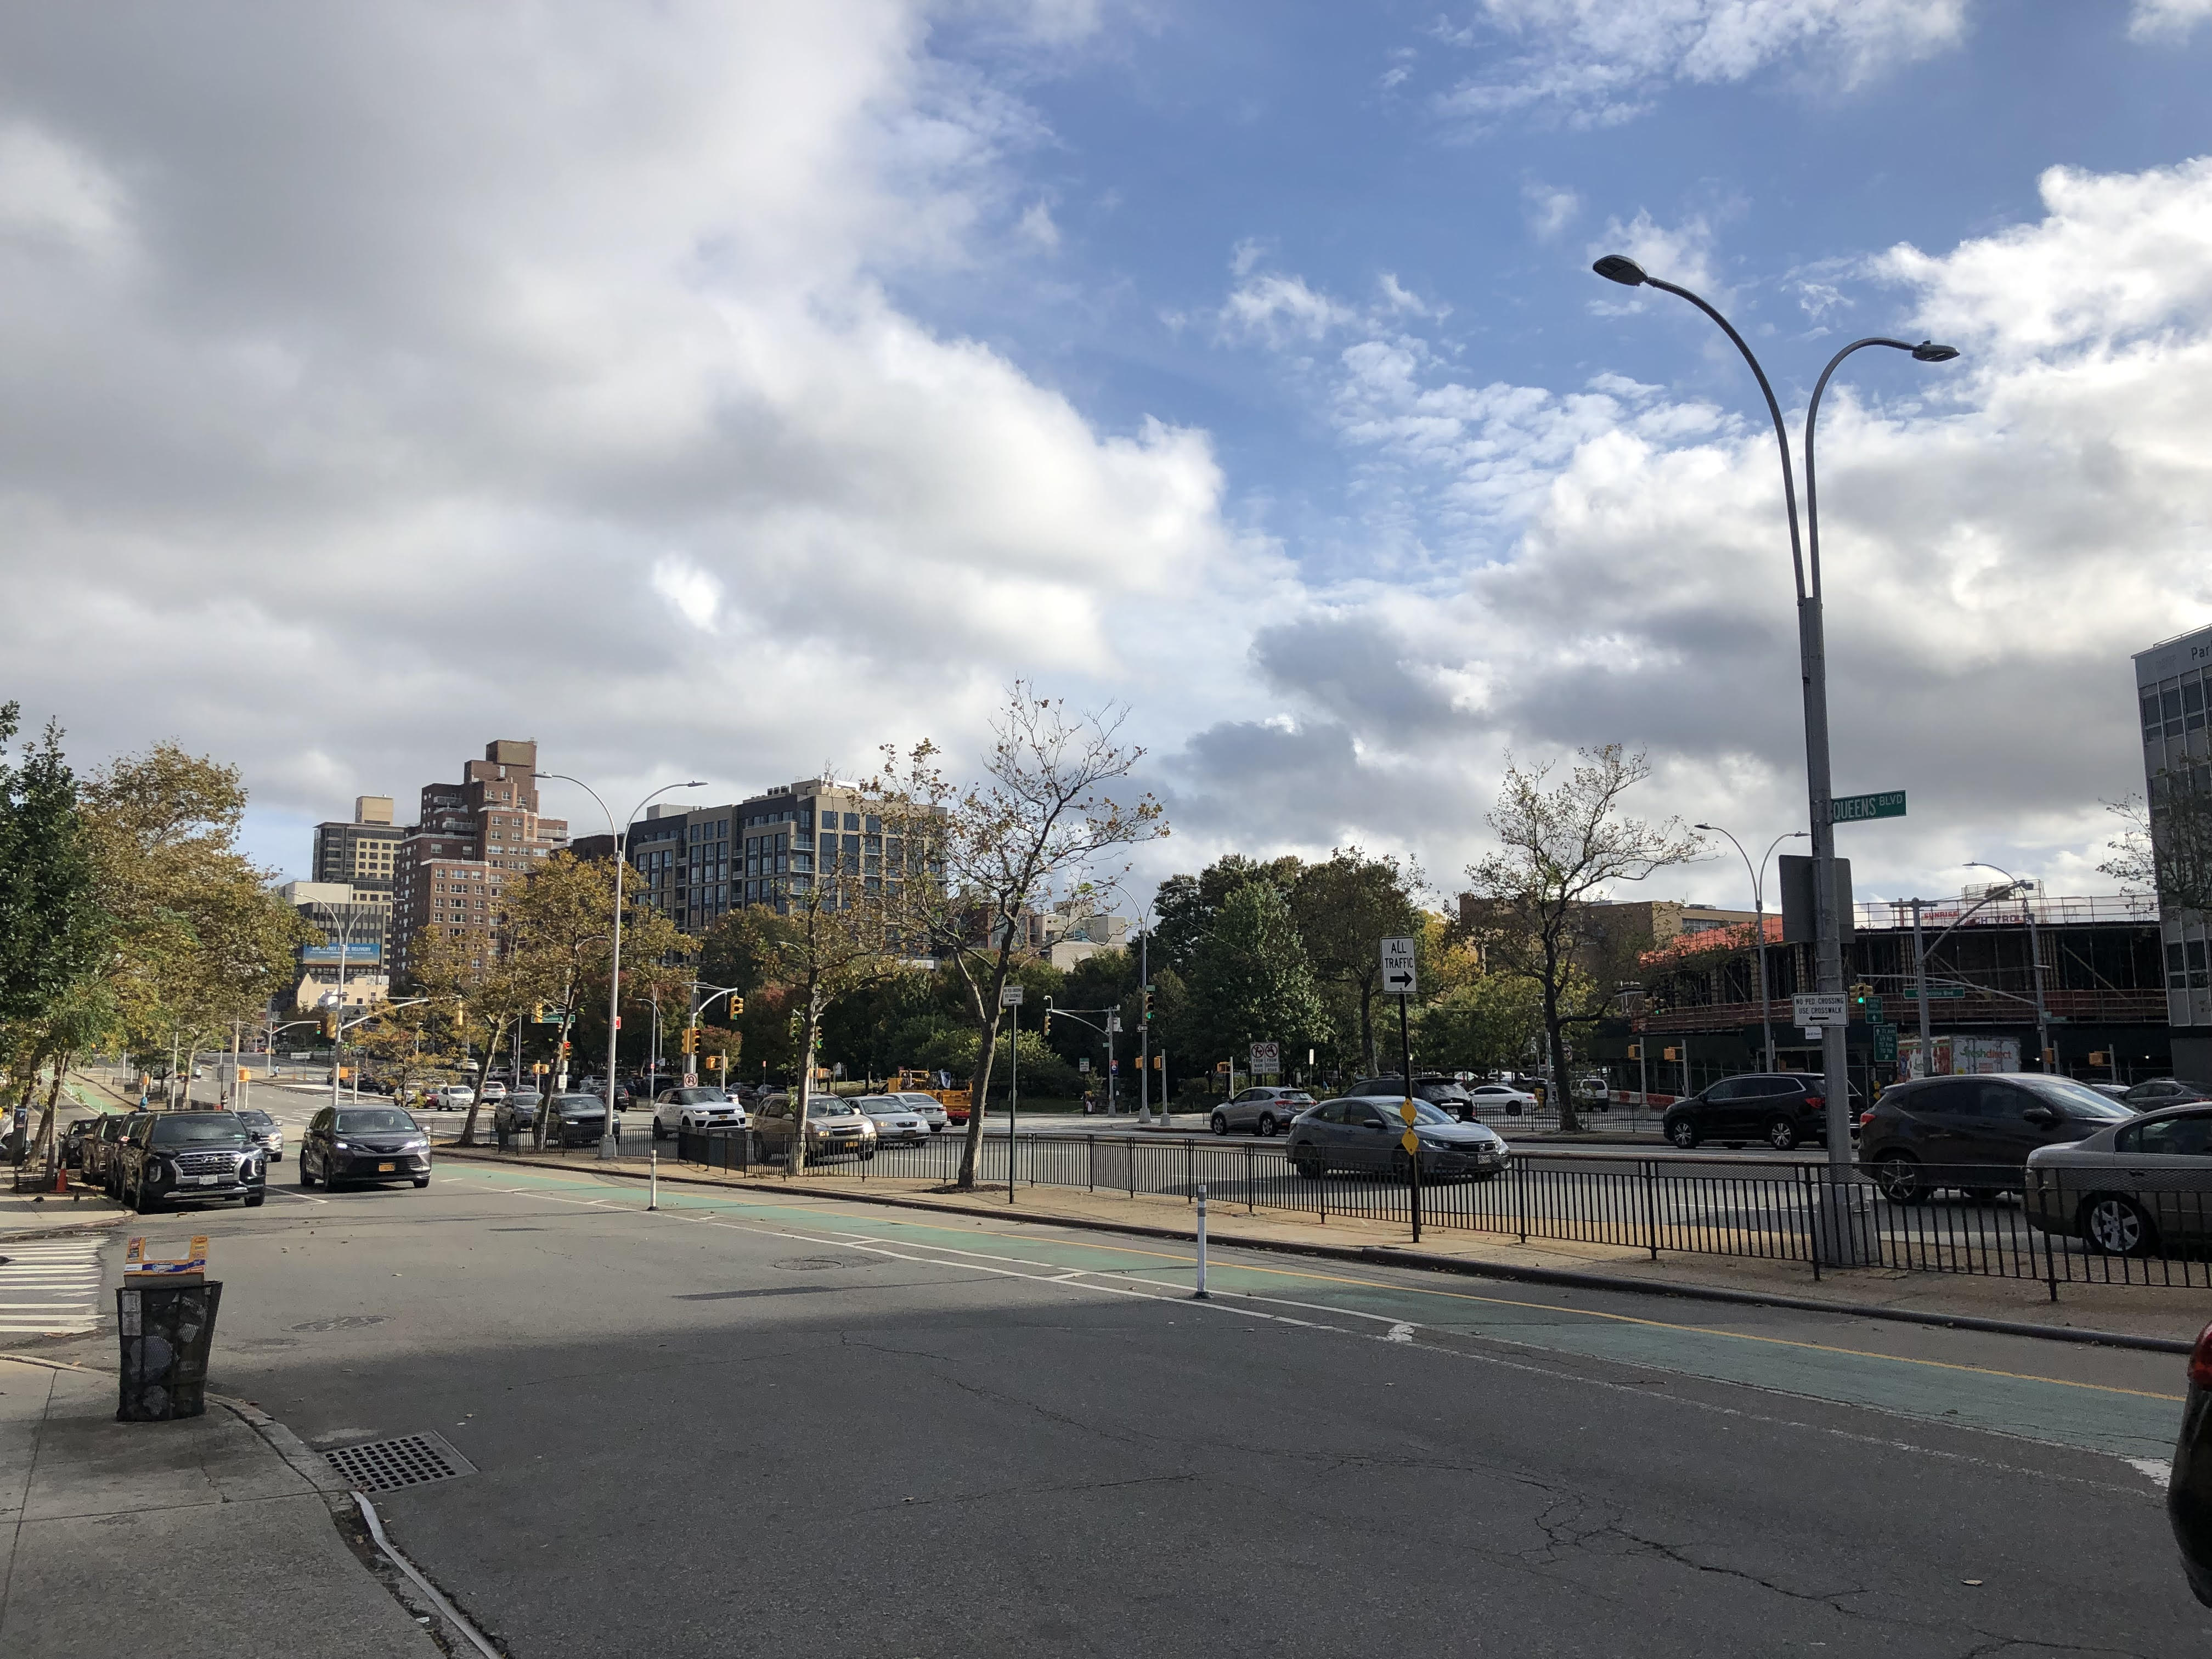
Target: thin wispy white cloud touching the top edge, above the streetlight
[1596, 63]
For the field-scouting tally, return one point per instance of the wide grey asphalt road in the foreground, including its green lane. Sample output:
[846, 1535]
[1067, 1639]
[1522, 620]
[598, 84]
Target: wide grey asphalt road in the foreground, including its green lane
[753, 1426]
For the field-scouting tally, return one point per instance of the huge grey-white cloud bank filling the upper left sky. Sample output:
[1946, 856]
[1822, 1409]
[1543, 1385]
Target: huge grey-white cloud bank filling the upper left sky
[408, 342]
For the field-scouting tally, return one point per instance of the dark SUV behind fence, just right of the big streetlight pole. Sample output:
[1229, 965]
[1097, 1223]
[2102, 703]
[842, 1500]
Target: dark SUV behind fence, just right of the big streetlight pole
[1974, 1134]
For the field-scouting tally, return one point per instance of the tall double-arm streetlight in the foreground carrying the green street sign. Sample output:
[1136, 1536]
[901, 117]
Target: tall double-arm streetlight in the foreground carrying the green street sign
[1813, 665]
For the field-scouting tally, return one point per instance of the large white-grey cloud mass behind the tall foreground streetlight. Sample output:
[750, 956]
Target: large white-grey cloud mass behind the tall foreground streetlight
[1611, 565]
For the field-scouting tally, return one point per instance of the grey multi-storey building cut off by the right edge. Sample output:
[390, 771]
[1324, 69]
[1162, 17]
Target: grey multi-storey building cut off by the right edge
[2173, 687]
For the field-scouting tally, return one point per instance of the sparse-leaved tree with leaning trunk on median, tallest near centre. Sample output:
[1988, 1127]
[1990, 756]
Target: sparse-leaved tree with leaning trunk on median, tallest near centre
[1010, 846]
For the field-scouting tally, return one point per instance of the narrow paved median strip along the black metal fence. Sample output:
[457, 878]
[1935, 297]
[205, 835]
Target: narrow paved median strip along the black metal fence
[2176, 1315]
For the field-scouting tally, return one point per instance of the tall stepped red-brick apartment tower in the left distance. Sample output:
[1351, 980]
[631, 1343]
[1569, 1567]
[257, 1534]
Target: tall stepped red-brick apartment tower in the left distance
[472, 842]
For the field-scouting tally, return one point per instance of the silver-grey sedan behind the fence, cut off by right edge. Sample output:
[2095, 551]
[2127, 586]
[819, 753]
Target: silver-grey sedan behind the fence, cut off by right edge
[2129, 1189]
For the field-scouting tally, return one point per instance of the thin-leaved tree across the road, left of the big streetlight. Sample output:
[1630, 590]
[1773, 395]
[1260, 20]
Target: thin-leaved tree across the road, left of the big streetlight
[1561, 848]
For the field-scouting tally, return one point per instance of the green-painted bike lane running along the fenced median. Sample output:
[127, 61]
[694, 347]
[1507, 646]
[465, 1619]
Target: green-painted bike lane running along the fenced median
[2100, 1401]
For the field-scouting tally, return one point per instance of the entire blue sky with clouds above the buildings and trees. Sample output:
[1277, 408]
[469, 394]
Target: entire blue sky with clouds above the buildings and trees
[729, 390]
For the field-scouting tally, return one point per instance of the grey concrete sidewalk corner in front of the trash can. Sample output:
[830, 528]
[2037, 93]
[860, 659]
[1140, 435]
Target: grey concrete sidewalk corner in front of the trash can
[209, 1538]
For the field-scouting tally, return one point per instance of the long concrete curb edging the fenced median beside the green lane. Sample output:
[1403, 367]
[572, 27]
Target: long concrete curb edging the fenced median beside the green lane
[1390, 1258]
